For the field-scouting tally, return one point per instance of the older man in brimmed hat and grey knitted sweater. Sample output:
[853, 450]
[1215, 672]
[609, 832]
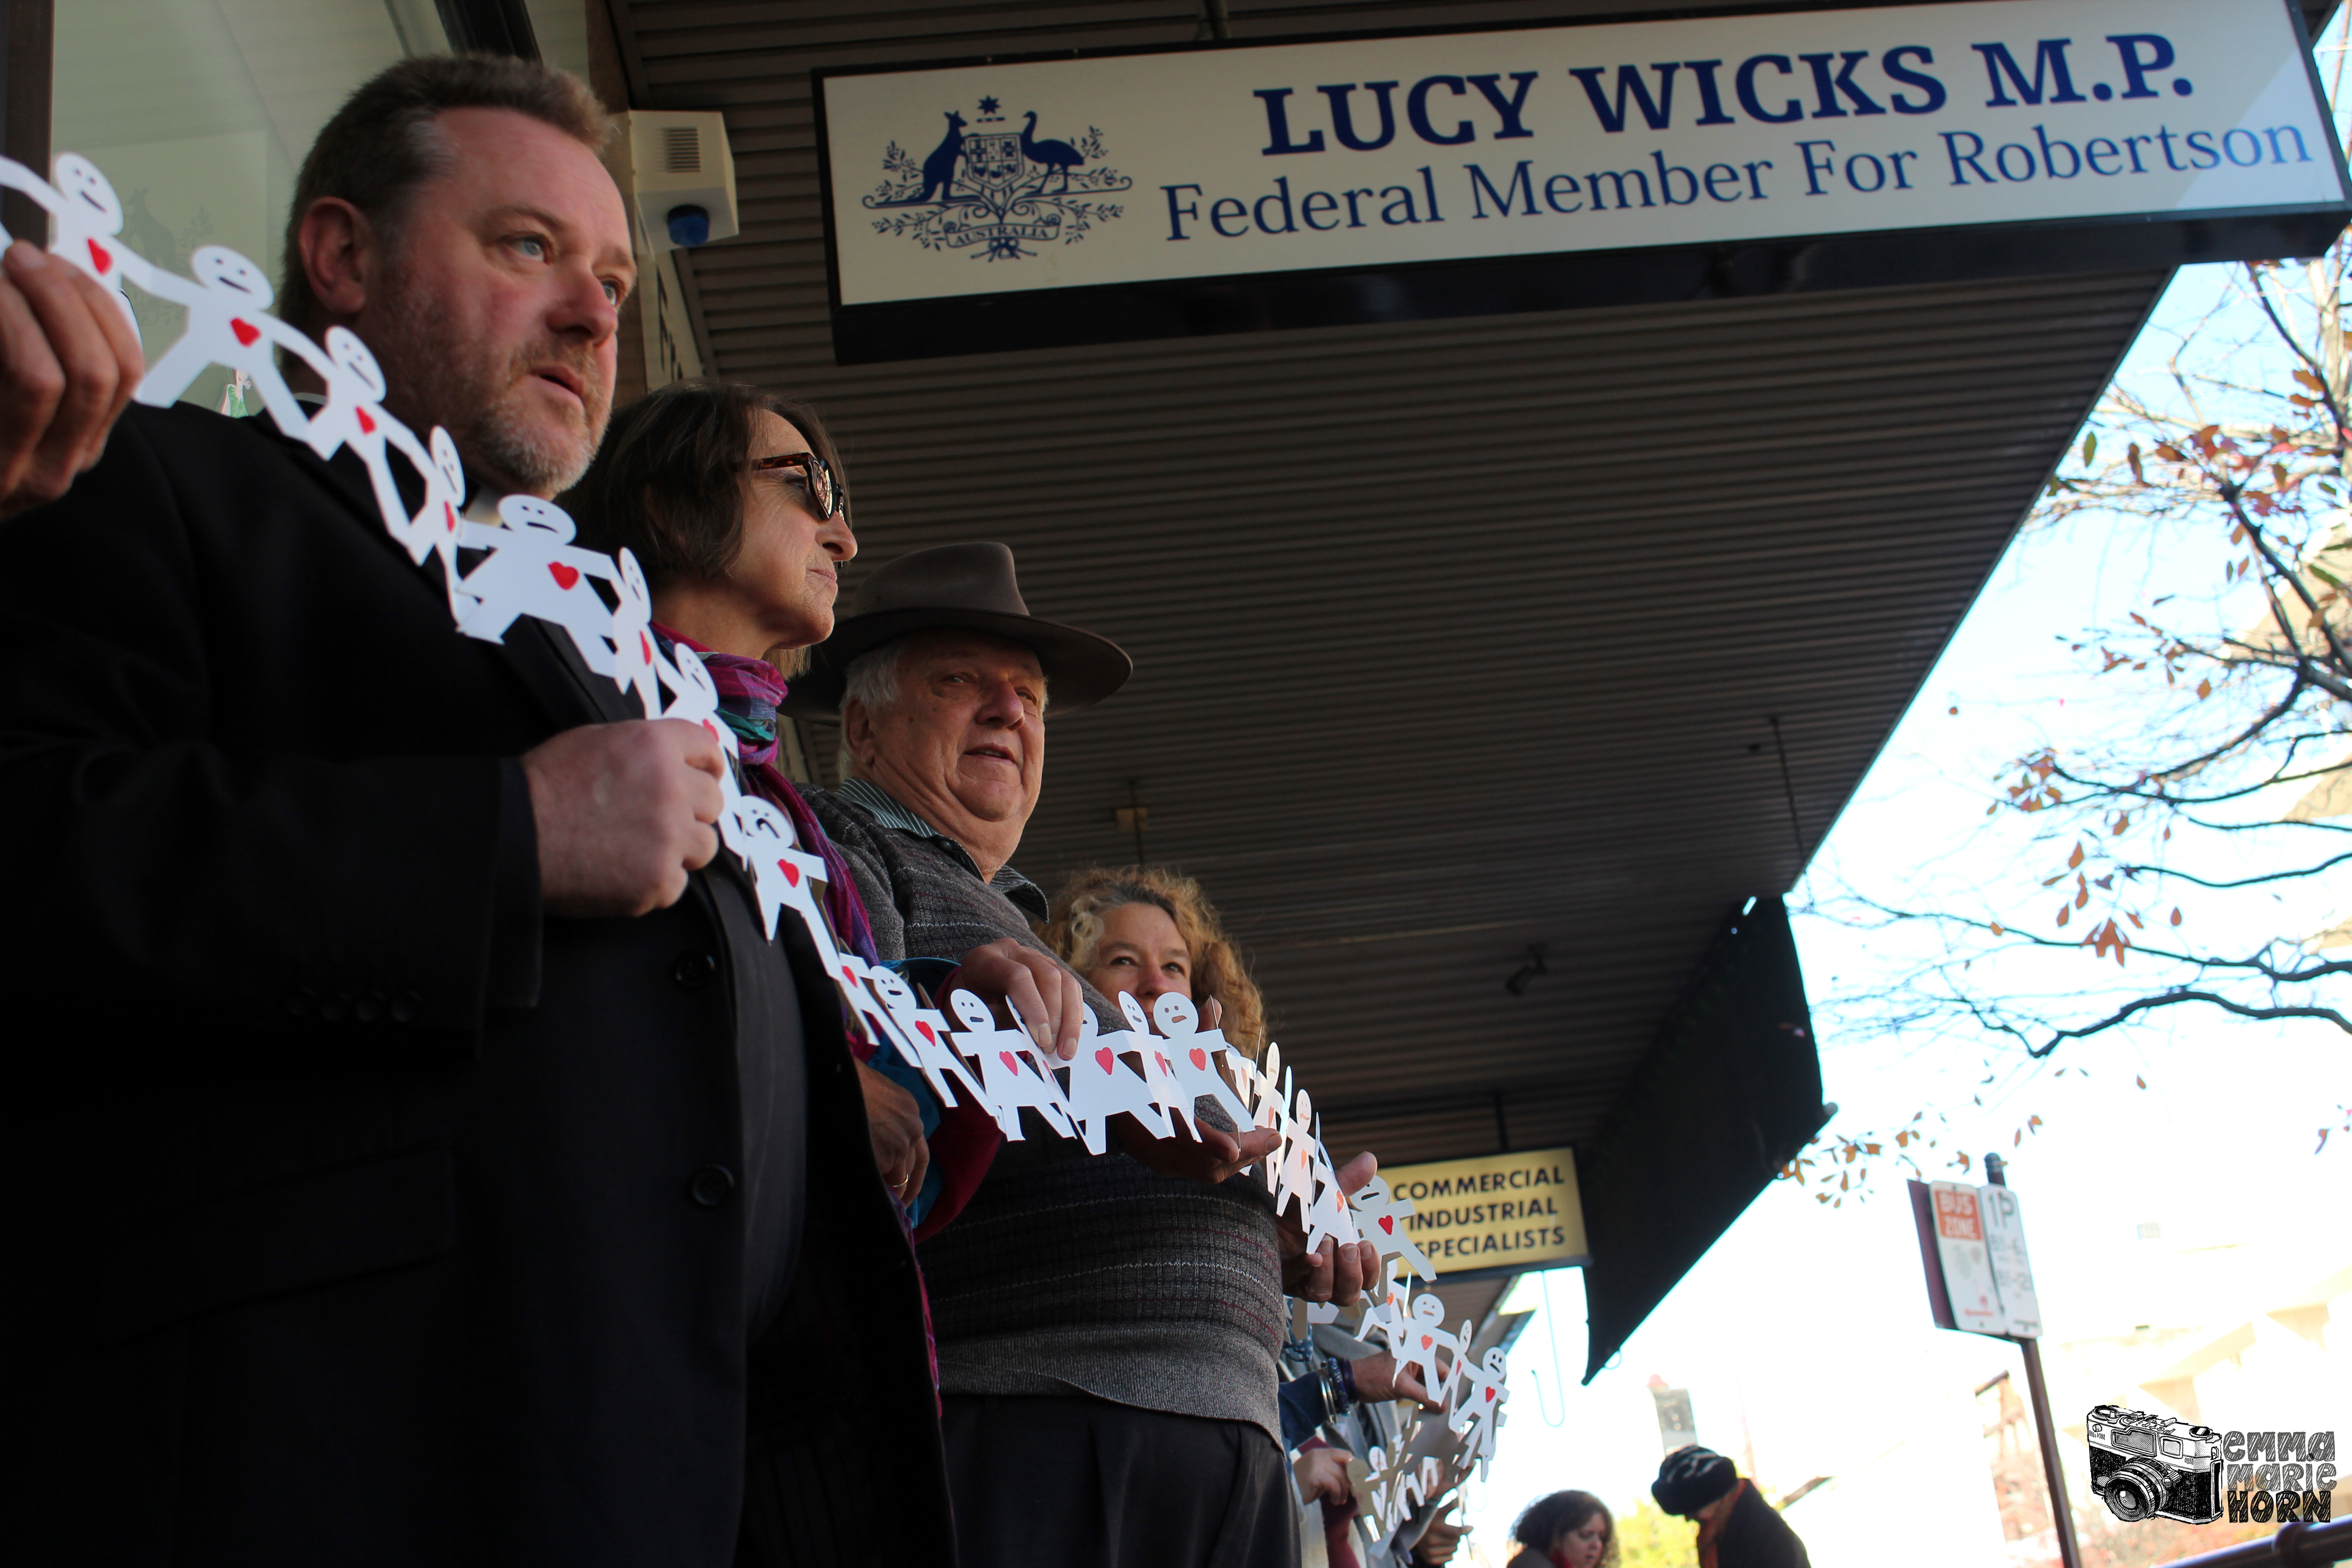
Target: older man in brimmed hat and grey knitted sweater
[1107, 1325]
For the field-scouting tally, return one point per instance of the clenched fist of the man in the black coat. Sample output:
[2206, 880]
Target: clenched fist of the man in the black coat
[624, 812]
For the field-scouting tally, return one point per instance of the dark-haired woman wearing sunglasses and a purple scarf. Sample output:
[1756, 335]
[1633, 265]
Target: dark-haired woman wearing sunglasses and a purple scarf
[733, 504]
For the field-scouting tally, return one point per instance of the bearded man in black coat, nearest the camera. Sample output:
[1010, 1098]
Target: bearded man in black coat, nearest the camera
[420, 1153]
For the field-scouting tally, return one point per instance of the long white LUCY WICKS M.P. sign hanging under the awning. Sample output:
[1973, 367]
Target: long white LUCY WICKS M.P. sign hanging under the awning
[1382, 156]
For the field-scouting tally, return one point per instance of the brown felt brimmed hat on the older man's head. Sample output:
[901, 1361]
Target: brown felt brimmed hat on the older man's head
[968, 589]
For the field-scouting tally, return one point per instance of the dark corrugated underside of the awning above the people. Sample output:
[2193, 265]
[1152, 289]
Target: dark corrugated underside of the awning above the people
[1452, 638]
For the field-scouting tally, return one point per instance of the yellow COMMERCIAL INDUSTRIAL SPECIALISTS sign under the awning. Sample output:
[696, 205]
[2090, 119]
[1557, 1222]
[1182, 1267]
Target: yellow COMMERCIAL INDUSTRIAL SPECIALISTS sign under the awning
[1495, 1212]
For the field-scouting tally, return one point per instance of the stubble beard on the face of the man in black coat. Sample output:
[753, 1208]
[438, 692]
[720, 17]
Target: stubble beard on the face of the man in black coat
[443, 380]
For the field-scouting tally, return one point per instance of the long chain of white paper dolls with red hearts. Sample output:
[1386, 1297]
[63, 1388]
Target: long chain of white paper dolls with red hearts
[535, 570]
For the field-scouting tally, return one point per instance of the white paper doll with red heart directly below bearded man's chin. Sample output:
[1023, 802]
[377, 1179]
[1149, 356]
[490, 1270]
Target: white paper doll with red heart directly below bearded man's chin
[535, 570]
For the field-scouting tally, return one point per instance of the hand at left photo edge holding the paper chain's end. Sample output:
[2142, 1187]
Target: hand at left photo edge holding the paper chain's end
[67, 368]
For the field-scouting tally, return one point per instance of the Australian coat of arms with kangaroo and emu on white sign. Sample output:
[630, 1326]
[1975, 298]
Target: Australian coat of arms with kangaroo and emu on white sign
[994, 192]
